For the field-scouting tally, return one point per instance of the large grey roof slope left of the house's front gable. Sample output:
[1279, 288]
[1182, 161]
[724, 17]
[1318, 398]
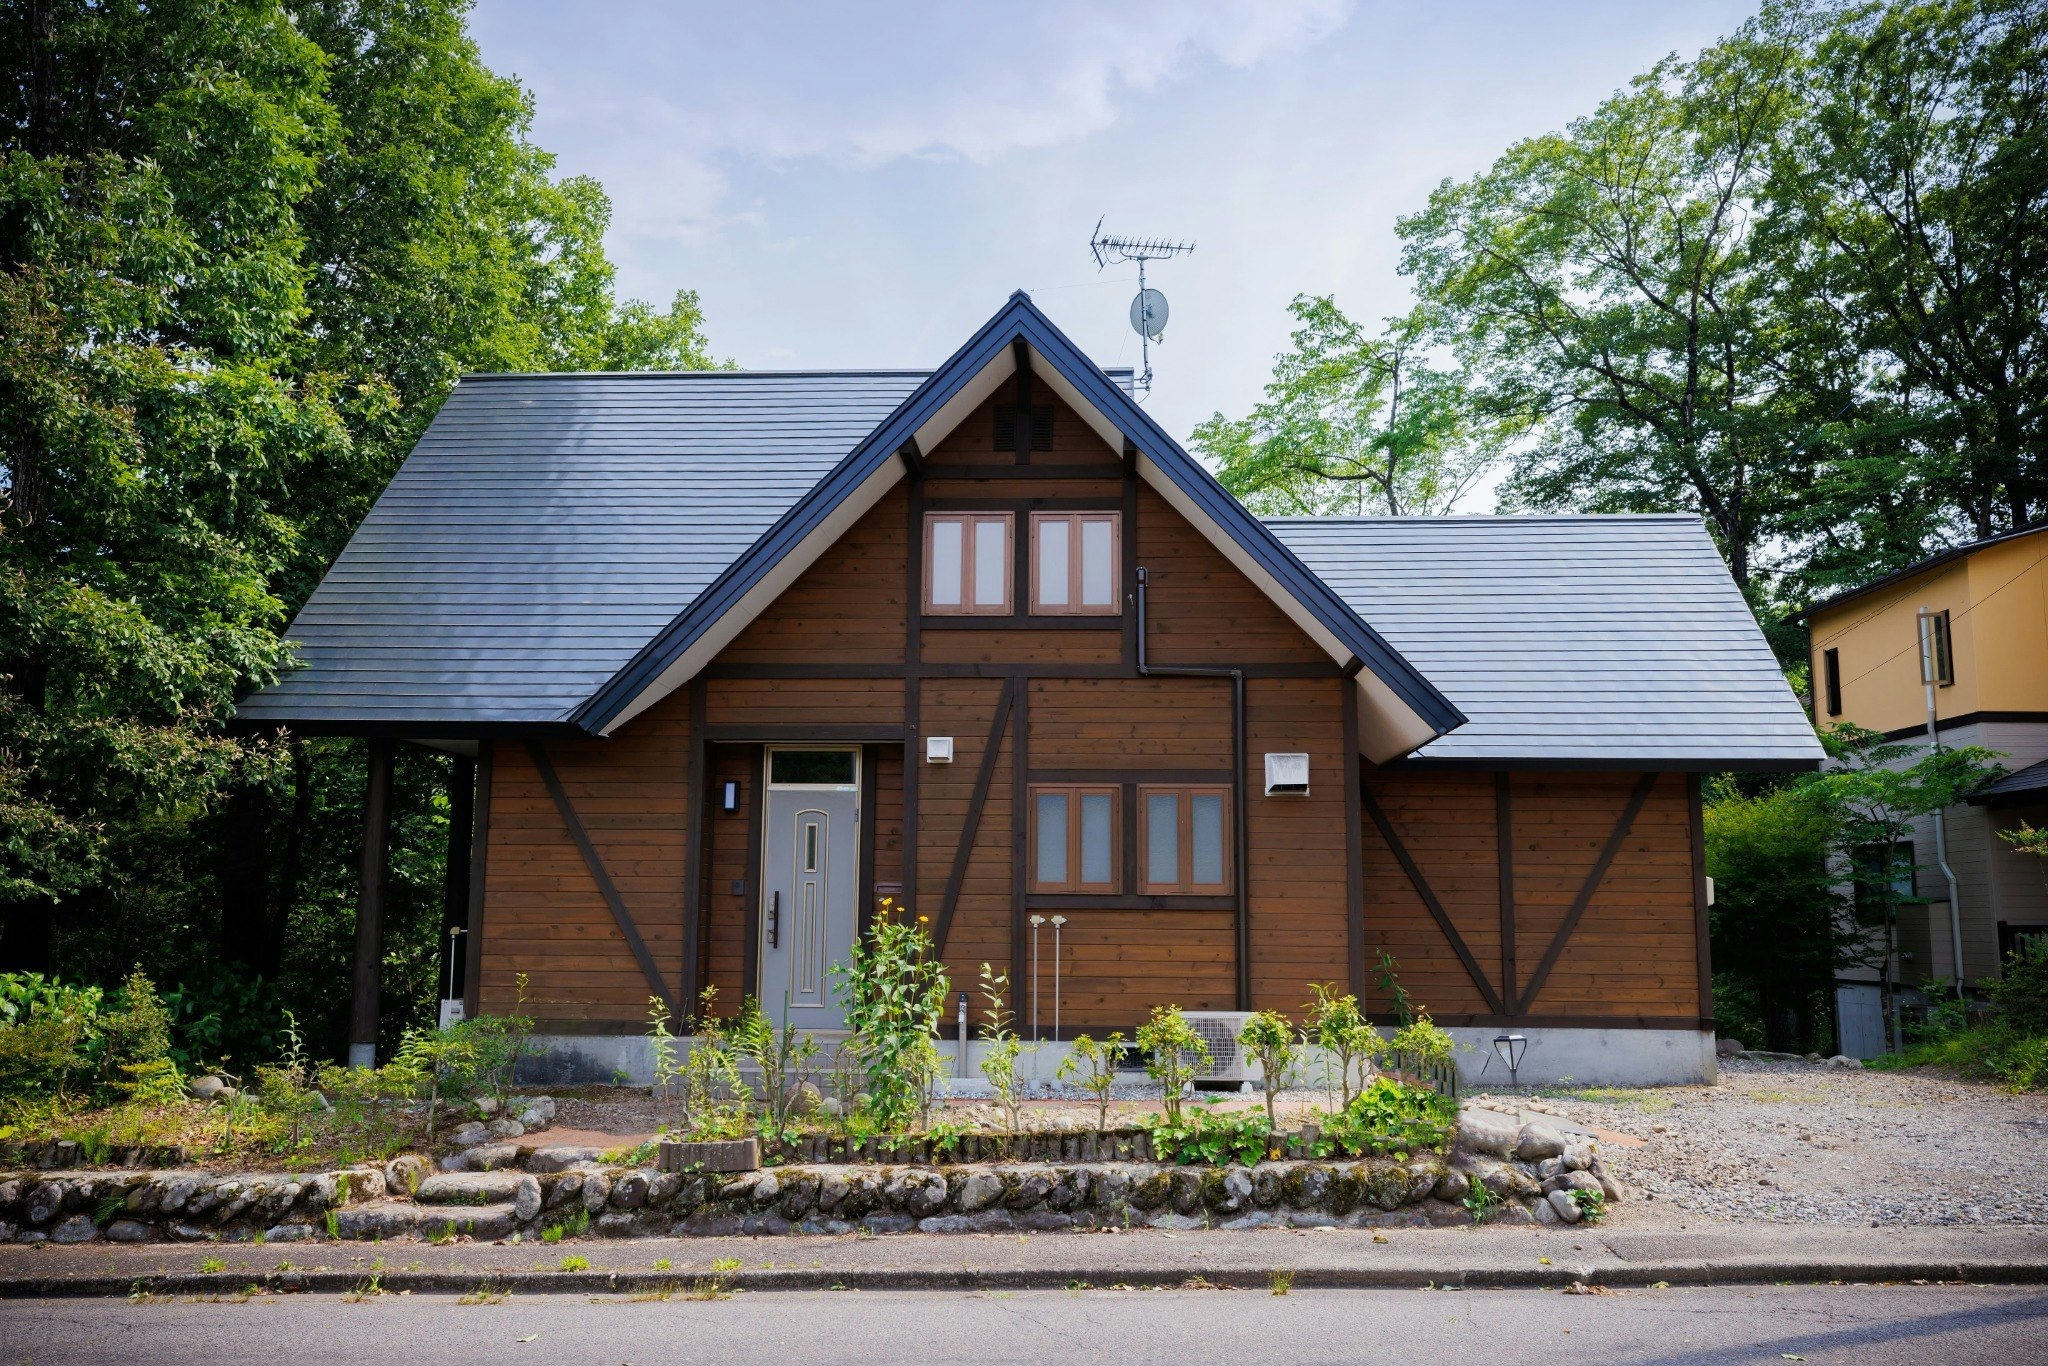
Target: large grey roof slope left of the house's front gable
[548, 527]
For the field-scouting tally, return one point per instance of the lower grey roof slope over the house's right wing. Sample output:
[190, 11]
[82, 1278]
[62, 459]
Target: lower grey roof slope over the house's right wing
[1576, 640]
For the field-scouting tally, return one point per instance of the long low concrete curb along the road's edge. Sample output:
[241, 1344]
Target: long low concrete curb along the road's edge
[1078, 1275]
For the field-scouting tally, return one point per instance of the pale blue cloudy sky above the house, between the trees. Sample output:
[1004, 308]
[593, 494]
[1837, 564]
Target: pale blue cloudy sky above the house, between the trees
[861, 183]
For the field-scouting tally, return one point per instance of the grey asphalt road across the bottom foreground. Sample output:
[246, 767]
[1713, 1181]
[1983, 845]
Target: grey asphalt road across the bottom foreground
[1736, 1324]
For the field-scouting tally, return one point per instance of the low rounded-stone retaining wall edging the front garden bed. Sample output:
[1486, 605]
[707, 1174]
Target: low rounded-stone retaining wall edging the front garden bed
[1529, 1170]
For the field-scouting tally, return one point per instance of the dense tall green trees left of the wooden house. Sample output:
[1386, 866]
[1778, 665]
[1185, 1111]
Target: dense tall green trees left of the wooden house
[245, 251]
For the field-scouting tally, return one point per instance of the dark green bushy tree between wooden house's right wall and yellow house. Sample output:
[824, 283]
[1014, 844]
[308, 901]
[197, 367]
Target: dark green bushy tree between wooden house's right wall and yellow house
[1779, 921]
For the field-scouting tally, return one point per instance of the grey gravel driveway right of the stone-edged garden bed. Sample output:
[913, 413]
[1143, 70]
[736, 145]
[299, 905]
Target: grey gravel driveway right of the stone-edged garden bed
[1807, 1144]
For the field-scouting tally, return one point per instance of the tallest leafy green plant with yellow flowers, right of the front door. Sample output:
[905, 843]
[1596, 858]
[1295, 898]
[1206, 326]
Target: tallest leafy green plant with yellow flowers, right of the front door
[894, 994]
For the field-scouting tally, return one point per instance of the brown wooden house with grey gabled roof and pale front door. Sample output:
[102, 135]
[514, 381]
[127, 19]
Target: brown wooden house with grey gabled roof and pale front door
[728, 658]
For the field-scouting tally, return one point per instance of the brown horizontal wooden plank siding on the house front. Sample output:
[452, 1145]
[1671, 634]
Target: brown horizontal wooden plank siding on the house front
[1084, 716]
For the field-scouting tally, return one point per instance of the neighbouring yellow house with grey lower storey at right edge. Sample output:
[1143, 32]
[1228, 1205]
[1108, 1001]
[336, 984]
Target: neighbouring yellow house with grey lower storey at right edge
[1990, 620]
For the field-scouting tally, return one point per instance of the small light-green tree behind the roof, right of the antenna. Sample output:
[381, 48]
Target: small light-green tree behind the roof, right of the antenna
[1353, 423]
